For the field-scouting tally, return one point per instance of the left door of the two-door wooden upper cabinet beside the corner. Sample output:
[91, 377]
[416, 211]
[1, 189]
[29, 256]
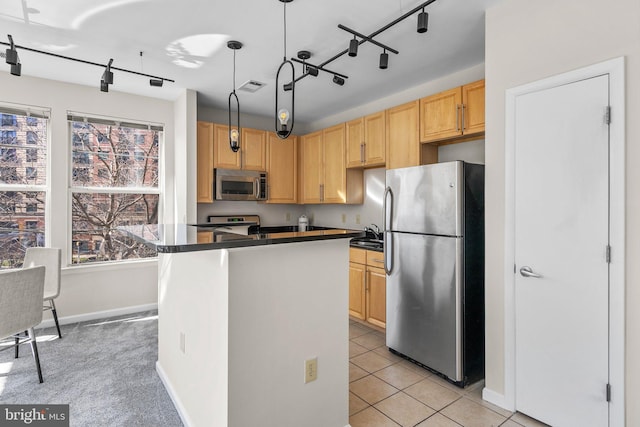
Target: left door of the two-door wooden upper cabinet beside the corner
[311, 164]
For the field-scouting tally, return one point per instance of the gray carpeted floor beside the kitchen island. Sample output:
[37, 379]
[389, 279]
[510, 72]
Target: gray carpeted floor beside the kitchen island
[104, 369]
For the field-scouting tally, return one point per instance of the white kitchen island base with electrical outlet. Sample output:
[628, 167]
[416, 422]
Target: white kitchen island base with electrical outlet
[235, 327]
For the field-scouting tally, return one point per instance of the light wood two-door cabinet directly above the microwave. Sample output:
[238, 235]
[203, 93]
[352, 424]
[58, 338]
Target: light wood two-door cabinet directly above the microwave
[252, 154]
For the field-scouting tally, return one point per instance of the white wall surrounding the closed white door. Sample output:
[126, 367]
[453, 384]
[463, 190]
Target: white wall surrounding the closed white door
[527, 41]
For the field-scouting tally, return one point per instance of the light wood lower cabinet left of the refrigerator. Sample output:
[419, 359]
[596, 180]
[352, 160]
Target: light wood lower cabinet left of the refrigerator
[367, 286]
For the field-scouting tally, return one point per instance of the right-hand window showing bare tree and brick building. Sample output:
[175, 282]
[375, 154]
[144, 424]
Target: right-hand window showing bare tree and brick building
[112, 186]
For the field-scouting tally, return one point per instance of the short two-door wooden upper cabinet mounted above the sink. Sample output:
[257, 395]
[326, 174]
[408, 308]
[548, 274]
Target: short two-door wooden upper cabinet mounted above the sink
[366, 141]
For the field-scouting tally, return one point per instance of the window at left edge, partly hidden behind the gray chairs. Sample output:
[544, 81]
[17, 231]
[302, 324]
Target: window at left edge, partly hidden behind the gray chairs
[23, 185]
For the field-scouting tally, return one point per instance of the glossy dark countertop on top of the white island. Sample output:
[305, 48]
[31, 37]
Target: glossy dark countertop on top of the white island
[172, 238]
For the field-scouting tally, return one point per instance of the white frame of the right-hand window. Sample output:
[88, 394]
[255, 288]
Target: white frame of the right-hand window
[88, 189]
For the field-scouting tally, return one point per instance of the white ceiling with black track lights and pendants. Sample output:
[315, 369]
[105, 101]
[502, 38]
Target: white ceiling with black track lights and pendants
[186, 41]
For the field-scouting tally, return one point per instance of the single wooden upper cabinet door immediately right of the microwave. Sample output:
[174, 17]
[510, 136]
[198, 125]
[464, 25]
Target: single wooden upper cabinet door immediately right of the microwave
[282, 169]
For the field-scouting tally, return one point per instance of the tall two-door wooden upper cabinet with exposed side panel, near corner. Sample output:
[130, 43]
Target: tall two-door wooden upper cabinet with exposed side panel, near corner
[324, 176]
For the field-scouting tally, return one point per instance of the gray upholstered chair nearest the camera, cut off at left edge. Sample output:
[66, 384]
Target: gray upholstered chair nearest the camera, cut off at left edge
[21, 293]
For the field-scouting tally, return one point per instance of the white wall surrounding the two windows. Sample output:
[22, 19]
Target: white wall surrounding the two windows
[89, 289]
